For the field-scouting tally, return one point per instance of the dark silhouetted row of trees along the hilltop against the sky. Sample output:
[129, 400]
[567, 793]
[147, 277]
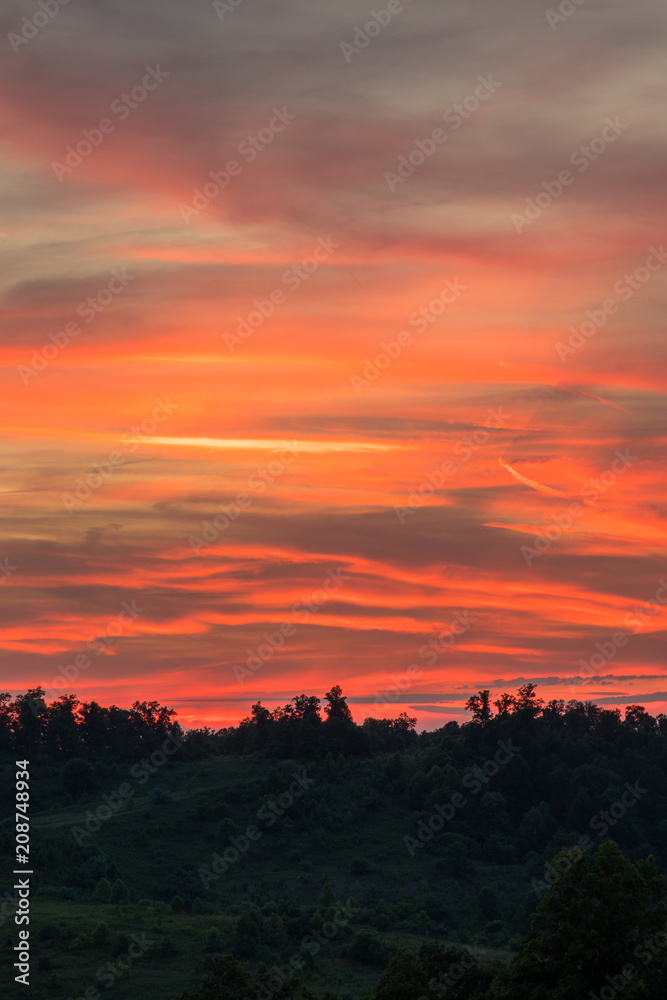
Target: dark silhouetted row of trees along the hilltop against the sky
[68, 727]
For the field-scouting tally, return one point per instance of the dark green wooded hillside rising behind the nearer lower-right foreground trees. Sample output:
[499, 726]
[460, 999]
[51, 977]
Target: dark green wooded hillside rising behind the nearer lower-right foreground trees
[208, 844]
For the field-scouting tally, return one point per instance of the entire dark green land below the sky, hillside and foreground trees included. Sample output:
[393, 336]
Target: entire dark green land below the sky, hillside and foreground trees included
[298, 855]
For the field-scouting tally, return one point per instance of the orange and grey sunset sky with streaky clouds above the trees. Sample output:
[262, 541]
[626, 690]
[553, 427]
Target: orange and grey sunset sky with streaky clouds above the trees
[333, 353]
